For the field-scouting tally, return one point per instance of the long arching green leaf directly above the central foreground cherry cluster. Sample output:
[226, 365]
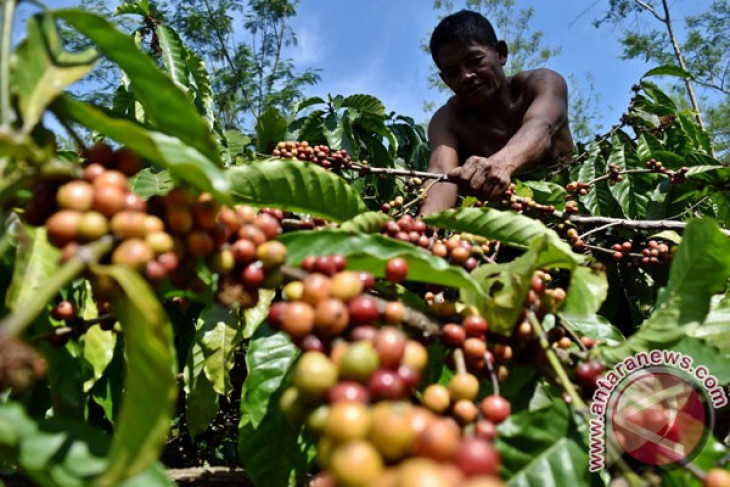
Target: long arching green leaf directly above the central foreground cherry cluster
[371, 252]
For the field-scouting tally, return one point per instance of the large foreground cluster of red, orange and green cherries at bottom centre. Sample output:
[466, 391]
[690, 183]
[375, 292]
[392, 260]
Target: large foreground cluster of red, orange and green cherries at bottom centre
[353, 386]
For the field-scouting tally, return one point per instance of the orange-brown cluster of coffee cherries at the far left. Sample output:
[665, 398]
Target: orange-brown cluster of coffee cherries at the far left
[165, 236]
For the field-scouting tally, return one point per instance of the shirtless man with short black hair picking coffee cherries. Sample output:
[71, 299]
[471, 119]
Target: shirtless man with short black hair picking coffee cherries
[494, 127]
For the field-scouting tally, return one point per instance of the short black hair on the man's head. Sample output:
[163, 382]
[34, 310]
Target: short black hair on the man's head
[464, 27]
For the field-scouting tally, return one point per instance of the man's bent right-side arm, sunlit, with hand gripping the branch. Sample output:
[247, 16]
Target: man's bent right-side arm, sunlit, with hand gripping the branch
[489, 177]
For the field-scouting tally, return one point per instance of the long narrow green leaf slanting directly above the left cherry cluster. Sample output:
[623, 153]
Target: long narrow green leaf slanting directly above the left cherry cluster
[183, 161]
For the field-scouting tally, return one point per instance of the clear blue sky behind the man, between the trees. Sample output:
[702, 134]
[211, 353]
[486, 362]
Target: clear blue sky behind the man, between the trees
[374, 47]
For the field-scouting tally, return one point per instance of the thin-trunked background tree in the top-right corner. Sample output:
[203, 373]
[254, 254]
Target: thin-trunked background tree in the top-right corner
[701, 47]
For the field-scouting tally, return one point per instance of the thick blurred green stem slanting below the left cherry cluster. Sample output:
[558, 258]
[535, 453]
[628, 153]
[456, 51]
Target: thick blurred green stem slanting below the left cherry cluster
[15, 323]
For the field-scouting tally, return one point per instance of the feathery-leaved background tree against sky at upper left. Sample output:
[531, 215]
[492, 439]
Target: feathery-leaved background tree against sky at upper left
[241, 43]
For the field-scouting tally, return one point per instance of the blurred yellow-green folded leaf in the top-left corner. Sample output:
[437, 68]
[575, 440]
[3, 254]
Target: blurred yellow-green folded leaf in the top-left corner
[39, 75]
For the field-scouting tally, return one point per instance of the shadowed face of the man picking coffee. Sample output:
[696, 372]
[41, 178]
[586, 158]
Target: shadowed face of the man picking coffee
[473, 72]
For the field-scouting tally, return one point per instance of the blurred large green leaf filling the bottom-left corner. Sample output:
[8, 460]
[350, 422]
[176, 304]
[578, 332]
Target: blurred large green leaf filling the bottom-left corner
[54, 452]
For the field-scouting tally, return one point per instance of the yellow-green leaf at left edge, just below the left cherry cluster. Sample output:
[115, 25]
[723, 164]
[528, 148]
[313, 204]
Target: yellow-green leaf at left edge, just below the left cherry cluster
[35, 261]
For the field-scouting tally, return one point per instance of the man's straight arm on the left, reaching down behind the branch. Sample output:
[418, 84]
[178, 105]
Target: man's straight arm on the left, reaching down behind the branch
[444, 157]
